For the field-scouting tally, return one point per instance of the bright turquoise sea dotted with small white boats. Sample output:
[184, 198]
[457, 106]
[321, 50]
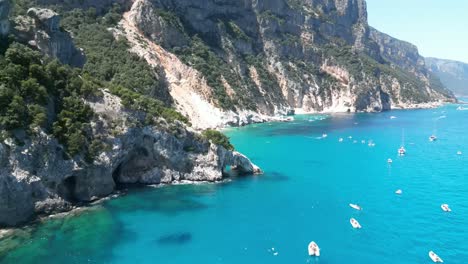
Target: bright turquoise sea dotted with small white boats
[303, 196]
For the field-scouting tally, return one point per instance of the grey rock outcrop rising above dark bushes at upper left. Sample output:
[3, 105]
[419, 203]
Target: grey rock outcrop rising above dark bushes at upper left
[41, 29]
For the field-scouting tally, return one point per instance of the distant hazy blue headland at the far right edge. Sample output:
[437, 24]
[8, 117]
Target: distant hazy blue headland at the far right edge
[453, 74]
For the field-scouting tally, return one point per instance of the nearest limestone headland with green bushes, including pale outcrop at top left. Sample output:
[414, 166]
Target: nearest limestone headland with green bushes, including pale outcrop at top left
[134, 145]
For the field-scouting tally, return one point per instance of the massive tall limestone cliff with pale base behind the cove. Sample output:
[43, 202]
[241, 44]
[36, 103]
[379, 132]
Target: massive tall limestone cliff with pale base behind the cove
[270, 56]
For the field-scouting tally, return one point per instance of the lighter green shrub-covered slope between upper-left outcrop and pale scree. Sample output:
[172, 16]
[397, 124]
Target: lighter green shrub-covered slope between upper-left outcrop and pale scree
[108, 58]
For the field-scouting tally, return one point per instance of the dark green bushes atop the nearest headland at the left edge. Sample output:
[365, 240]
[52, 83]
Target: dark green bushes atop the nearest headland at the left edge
[36, 92]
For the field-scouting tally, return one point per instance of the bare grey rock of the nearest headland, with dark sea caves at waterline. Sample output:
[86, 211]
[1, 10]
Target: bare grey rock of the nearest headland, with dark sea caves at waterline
[37, 178]
